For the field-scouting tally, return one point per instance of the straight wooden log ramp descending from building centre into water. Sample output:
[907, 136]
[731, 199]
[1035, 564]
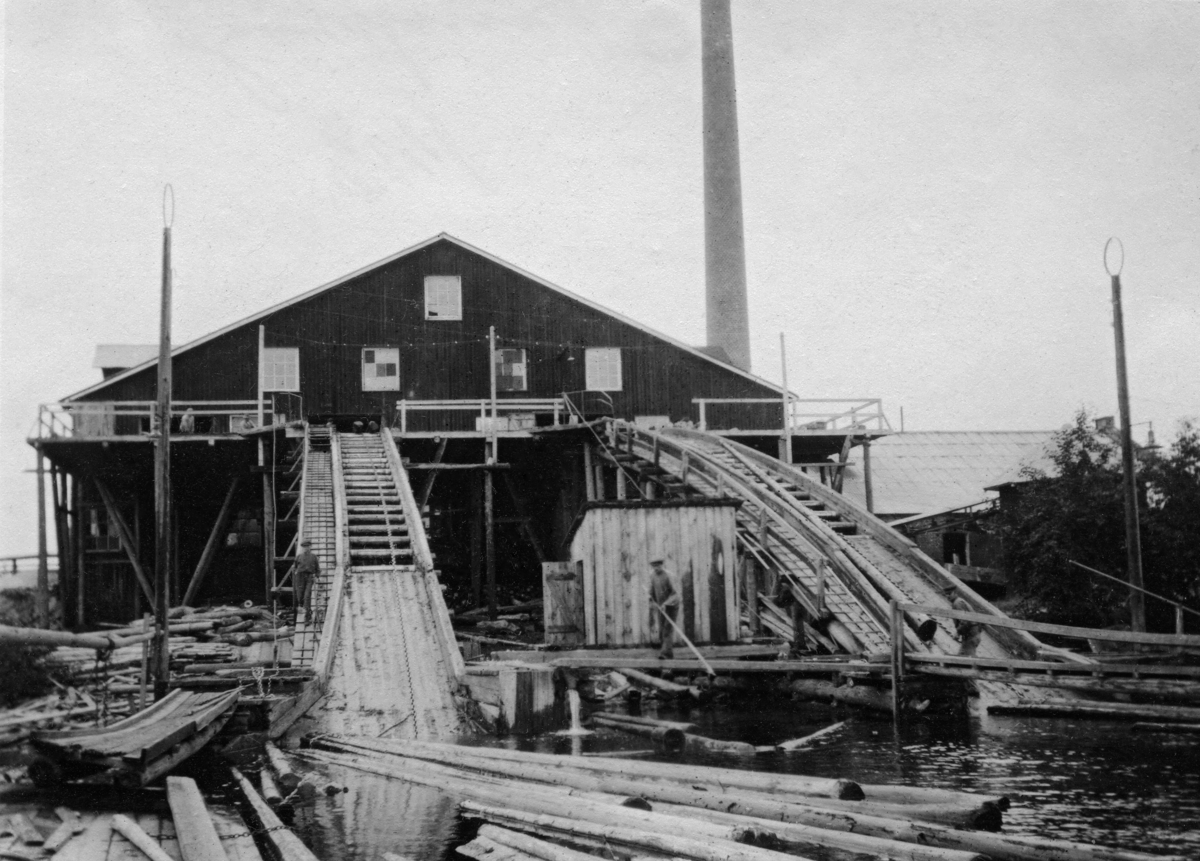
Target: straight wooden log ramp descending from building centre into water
[393, 663]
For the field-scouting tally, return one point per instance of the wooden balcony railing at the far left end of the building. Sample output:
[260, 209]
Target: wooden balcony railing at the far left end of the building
[109, 419]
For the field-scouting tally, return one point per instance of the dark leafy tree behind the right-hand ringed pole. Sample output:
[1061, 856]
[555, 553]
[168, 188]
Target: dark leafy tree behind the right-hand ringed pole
[1077, 513]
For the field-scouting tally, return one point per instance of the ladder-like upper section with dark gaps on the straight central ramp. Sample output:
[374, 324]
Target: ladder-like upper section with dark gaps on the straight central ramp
[379, 533]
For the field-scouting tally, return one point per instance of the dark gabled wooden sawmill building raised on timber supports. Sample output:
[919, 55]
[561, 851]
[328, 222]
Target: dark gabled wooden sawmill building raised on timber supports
[405, 342]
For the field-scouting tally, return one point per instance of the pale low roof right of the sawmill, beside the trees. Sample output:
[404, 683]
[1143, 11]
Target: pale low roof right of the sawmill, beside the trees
[922, 473]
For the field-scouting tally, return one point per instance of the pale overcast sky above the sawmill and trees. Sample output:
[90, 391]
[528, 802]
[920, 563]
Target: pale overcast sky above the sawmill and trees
[928, 186]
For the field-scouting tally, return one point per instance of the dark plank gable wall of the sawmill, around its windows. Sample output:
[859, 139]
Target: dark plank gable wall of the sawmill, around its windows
[442, 359]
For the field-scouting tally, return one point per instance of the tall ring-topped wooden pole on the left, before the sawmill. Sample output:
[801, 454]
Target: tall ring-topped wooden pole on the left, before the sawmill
[163, 465]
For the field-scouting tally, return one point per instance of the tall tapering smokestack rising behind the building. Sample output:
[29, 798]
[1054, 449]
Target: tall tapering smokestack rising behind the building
[729, 323]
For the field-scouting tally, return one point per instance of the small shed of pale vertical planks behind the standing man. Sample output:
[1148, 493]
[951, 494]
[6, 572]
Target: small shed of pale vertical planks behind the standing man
[602, 595]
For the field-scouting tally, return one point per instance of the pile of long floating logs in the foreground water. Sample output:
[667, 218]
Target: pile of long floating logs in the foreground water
[571, 809]
